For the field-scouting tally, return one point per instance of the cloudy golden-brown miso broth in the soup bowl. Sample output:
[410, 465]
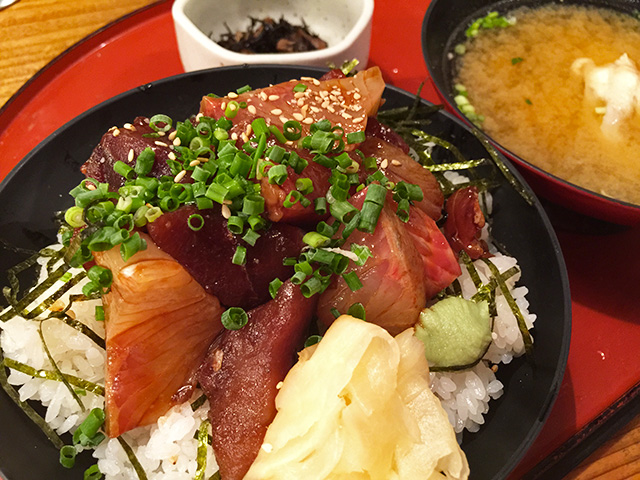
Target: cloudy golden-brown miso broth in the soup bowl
[520, 79]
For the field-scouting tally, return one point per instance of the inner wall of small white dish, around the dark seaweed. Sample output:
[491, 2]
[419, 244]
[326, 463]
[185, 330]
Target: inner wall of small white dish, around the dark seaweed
[331, 20]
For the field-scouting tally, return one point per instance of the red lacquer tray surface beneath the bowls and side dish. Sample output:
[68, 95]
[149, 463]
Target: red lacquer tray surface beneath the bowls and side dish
[603, 369]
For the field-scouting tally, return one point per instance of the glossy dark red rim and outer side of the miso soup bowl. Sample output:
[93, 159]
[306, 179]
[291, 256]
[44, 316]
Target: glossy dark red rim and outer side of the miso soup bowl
[547, 185]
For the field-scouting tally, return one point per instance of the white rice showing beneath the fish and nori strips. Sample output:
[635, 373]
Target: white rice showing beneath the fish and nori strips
[167, 449]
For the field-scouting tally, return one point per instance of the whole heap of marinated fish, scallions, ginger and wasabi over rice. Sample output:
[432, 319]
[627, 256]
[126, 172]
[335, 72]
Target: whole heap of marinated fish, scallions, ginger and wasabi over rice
[224, 286]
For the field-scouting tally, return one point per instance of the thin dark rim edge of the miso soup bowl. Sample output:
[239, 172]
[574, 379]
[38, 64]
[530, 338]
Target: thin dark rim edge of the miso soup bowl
[443, 91]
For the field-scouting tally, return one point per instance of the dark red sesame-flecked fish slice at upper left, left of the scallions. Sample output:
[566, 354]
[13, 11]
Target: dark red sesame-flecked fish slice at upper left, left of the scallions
[117, 143]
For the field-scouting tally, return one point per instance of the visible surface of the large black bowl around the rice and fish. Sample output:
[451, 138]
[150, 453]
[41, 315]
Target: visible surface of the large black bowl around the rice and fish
[38, 186]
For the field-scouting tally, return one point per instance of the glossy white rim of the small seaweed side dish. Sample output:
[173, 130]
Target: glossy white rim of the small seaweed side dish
[177, 10]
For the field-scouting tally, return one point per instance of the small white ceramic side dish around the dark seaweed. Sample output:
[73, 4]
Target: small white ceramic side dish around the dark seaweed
[345, 26]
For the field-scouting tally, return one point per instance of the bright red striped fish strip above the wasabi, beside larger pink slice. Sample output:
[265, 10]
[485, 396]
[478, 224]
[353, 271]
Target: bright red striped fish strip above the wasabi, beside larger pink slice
[441, 266]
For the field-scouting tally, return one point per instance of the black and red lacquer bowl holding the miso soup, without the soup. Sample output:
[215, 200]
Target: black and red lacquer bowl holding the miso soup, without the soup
[444, 29]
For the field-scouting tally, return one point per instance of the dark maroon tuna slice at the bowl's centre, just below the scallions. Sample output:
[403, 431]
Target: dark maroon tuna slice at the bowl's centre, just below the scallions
[207, 254]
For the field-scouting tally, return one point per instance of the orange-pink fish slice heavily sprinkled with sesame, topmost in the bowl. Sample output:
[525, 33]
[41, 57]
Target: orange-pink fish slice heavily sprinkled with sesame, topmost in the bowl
[347, 102]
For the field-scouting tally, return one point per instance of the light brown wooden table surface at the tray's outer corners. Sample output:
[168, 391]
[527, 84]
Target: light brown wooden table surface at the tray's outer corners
[33, 32]
